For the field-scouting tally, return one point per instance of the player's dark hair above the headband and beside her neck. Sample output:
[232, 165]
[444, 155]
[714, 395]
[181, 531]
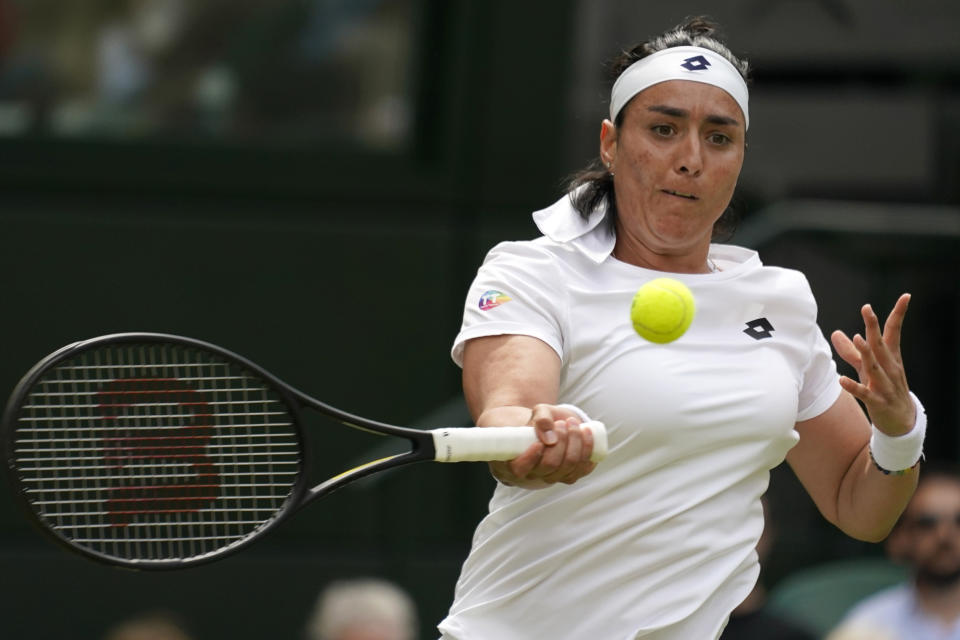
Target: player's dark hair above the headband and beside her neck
[595, 180]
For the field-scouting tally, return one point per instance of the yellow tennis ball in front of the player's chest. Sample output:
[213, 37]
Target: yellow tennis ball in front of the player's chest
[662, 310]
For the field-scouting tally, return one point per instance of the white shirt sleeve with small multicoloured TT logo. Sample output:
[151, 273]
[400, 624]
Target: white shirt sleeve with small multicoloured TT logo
[515, 292]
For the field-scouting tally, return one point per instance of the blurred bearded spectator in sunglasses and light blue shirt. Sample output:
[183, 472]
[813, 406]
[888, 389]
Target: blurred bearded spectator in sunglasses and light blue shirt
[927, 538]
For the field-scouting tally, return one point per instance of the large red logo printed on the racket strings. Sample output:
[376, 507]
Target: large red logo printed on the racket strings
[124, 405]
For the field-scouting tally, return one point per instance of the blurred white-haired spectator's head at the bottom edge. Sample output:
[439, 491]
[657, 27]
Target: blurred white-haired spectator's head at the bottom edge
[363, 609]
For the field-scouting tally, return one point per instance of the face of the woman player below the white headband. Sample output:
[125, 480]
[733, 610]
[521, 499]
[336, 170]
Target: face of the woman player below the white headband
[676, 159]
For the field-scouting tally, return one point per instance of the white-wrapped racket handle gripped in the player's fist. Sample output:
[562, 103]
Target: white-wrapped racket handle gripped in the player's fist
[475, 444]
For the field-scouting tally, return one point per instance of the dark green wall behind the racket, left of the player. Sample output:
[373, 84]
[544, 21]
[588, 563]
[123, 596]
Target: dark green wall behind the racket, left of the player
[340, 271]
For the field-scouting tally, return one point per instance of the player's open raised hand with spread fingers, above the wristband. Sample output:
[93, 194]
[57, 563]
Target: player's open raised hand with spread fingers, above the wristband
[883, 385]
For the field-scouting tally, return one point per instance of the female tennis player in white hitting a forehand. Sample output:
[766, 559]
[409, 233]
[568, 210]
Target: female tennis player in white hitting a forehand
[657, 541]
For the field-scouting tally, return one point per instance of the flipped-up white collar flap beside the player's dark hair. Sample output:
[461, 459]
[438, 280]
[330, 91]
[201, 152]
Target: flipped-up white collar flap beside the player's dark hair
[561, 222]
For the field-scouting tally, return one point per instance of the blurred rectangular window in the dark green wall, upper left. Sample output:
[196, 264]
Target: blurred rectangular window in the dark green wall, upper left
[260, 69]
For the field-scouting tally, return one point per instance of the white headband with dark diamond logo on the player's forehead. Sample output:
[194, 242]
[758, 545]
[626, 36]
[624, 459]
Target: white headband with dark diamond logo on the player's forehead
[680, 63]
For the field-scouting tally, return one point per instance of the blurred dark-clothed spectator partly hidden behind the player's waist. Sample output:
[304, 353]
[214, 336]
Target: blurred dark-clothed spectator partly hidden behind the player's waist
[752, 620]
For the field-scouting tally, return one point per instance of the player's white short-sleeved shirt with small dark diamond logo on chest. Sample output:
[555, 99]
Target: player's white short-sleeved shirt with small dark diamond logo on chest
[658, 542]
